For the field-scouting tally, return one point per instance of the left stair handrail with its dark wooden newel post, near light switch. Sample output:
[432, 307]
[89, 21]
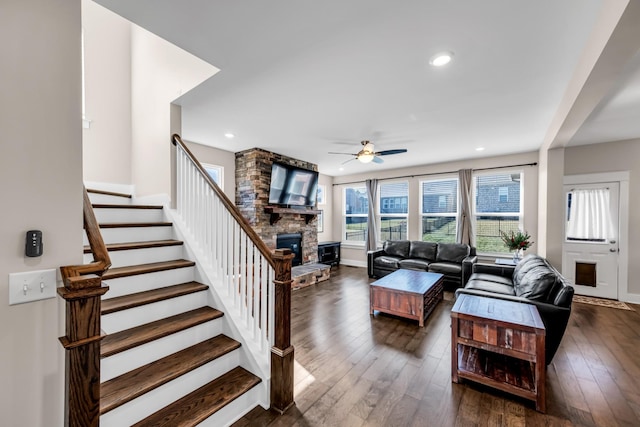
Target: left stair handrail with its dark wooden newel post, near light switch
[82, 291]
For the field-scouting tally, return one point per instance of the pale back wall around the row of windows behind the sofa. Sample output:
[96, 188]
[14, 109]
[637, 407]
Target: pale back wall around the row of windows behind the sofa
[356, 255]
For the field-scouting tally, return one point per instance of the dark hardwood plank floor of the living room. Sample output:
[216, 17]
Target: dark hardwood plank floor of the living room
[353, 369]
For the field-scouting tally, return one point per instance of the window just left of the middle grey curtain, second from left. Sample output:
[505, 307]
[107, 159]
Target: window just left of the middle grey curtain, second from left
[394, 198]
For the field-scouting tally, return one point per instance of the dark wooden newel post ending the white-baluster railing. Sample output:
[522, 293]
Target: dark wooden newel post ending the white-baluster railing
[282, 350]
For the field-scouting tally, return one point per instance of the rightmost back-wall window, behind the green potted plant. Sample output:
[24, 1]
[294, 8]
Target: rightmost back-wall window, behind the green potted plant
[497, 208]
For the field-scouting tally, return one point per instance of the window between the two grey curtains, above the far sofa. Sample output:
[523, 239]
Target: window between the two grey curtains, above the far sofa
[439, 208]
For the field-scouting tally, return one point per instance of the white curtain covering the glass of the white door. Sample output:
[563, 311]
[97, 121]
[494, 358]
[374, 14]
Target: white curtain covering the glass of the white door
[589, 215]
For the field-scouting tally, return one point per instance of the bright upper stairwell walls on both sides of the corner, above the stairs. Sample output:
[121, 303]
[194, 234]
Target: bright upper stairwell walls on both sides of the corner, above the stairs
[131, 78]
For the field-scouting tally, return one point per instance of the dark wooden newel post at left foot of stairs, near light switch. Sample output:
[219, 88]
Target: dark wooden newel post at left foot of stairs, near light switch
[82, 342]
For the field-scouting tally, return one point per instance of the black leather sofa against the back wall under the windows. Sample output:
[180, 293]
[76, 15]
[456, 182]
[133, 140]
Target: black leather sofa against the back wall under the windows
[453, 260]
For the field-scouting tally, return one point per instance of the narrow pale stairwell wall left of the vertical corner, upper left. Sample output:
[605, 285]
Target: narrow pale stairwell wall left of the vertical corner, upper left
[107, 58]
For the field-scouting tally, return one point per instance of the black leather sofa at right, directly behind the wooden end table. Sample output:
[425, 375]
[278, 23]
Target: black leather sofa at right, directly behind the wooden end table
[533, 281]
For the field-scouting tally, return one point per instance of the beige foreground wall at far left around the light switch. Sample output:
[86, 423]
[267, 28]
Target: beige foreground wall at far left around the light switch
[41, 188]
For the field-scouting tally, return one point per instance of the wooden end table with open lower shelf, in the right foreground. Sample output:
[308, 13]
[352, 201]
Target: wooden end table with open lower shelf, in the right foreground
[499, 343]
